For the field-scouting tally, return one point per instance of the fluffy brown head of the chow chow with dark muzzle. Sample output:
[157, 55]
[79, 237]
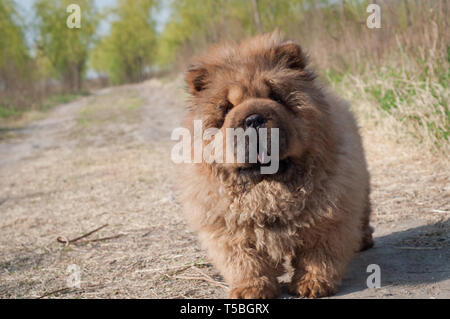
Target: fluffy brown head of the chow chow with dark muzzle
[262, 83]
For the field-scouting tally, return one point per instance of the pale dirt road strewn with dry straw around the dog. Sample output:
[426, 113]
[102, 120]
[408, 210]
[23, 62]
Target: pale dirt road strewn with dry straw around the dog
[105, 159]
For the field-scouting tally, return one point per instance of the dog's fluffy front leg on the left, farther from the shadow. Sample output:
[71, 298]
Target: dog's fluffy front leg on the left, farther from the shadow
[248, 273]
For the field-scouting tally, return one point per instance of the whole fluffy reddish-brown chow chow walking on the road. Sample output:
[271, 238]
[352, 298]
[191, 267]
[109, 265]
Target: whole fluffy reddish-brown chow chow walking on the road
[315, 210]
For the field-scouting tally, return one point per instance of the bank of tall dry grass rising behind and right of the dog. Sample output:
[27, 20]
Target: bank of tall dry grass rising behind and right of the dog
[396, 77]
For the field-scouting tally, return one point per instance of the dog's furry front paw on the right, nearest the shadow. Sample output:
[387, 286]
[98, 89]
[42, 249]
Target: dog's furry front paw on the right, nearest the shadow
[311, 287]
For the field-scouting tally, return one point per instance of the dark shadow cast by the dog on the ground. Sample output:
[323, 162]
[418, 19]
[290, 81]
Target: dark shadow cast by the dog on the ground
[414, 256]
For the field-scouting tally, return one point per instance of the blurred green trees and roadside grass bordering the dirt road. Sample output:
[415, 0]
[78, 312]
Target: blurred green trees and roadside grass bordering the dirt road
[397, 76]
